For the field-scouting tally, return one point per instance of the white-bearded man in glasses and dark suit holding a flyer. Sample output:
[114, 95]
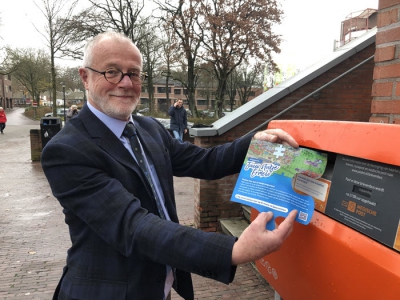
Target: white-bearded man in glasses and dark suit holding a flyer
[121, 247]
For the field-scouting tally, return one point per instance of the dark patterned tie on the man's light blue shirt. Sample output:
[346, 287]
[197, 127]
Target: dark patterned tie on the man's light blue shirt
[131, 133]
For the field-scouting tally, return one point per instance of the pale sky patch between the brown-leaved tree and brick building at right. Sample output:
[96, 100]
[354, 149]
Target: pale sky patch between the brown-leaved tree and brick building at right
[310, 27]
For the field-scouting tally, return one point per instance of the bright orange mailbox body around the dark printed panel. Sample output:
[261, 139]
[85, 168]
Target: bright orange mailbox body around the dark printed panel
[327, 259]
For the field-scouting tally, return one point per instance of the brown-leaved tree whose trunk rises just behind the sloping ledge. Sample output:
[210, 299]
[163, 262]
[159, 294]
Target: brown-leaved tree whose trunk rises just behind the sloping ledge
[234, 32]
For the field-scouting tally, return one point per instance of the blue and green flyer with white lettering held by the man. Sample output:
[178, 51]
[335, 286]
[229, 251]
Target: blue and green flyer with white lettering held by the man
[280, 178]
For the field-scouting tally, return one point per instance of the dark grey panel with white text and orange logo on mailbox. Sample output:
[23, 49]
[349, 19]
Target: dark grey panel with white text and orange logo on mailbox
[365, 196]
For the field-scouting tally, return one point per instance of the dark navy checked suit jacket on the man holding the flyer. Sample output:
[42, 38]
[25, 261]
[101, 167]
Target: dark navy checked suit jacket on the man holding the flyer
[120, 246]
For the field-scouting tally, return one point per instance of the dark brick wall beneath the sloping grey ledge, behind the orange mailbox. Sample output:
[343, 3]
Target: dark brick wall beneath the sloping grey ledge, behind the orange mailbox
[348, 99]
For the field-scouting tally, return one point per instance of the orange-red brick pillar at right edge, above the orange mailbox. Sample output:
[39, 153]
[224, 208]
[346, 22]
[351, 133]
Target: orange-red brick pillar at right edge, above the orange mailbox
[385, 106]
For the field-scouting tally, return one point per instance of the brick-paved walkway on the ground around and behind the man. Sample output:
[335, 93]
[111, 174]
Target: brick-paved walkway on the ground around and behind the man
[34, 238]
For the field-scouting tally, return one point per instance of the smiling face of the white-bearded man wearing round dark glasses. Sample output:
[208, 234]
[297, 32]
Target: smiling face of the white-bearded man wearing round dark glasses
[115, 100]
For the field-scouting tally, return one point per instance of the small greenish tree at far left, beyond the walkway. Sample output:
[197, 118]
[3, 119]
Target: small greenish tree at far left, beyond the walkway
[31, 68]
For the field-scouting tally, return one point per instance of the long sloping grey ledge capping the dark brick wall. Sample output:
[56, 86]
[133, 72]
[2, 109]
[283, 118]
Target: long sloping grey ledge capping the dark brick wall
[264, 100]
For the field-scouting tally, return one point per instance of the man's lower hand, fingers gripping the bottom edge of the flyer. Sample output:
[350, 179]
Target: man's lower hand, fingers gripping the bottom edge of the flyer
[256, 241]
